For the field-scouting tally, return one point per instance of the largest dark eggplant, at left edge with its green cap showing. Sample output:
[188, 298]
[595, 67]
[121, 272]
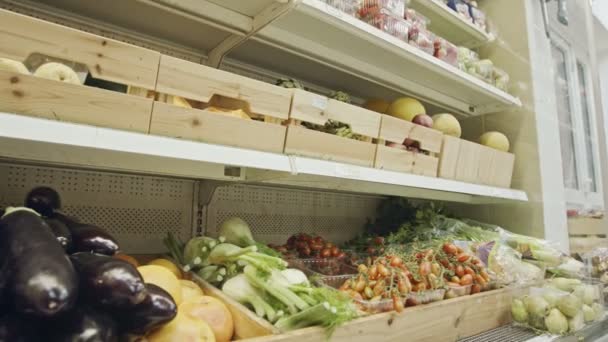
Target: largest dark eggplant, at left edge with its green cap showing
[40, 278]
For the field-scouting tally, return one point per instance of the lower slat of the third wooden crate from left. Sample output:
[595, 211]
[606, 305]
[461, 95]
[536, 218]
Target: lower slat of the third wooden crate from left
[306, 142]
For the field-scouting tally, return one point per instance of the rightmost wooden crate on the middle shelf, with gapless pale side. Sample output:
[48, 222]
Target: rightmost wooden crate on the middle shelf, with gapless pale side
[474, 163]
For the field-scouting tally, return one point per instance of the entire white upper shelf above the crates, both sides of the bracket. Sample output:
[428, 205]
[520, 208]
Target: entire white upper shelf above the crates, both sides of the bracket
[313, 42]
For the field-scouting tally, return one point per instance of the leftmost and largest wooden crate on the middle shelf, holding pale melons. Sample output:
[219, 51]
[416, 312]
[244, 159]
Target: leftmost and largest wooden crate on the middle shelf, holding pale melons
[25, 38]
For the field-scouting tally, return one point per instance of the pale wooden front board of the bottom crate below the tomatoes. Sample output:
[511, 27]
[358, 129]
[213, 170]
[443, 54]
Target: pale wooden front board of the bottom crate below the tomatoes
[448, 321]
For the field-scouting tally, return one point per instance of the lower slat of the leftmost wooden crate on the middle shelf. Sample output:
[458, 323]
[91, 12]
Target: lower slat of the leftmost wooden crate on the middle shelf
[33, 96]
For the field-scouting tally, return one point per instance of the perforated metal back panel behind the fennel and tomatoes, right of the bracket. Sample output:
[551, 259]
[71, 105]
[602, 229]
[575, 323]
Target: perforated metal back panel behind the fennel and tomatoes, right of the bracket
[276, 213]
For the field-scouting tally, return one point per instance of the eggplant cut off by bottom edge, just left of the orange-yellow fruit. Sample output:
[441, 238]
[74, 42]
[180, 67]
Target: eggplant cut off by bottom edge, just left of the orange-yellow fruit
[83, 325]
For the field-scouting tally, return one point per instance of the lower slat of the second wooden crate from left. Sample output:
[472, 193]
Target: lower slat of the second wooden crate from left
[215, 128]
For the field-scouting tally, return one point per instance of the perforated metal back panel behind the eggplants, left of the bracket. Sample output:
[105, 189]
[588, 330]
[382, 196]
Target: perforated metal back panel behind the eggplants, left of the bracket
[137, 210]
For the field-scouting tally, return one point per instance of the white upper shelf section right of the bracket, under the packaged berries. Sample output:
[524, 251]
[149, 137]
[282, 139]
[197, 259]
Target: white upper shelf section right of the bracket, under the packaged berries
[318, 43]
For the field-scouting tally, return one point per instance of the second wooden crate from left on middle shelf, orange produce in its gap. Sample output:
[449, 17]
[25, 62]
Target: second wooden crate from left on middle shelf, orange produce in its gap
[203, 87]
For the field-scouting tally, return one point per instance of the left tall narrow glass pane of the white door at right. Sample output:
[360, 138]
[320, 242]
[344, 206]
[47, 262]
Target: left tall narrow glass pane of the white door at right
[562, 96]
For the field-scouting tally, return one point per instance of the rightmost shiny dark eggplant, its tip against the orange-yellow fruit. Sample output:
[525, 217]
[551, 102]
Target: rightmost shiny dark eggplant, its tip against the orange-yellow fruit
[157, 309]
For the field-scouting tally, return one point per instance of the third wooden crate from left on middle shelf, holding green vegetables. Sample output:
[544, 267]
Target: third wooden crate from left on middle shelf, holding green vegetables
[317, 109]
